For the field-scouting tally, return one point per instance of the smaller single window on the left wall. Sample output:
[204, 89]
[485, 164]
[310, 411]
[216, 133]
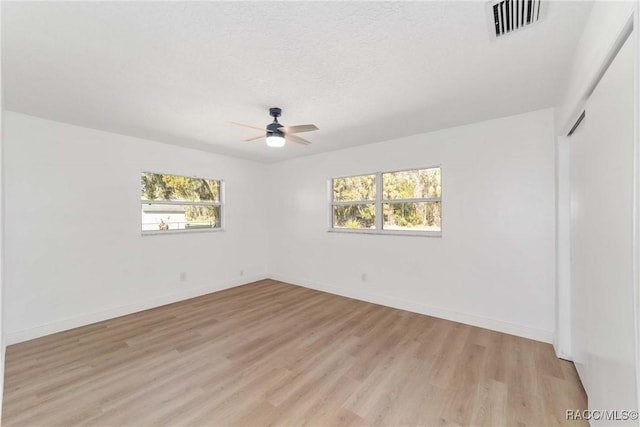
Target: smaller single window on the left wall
[172, 203]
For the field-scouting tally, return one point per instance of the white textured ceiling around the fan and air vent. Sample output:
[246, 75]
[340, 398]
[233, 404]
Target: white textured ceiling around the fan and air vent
[363, 72]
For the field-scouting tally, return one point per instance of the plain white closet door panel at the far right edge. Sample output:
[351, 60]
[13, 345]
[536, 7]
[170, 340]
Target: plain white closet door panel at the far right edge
[602, 237]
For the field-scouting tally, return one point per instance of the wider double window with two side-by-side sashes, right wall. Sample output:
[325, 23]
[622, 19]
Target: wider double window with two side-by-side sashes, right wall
[388, 202]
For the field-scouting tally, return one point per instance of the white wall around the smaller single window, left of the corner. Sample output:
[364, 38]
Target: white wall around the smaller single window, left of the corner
[74, 251]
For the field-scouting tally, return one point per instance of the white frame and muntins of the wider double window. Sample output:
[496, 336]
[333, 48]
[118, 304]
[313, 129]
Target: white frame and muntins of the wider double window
[379, 202]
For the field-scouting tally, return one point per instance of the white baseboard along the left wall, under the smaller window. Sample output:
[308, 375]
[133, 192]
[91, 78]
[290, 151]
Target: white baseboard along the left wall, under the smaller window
[15, 337]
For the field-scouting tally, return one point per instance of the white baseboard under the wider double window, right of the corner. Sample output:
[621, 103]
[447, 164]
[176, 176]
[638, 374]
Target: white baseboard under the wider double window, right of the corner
[468, 319]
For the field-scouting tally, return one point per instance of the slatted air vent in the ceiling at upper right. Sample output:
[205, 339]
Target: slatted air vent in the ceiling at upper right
[512, 15]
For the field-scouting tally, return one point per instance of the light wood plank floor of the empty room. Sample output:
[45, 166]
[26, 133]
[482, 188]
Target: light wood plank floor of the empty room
[270, 353]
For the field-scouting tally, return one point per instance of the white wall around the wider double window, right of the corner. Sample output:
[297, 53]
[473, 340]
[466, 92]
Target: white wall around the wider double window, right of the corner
[493, 266]
